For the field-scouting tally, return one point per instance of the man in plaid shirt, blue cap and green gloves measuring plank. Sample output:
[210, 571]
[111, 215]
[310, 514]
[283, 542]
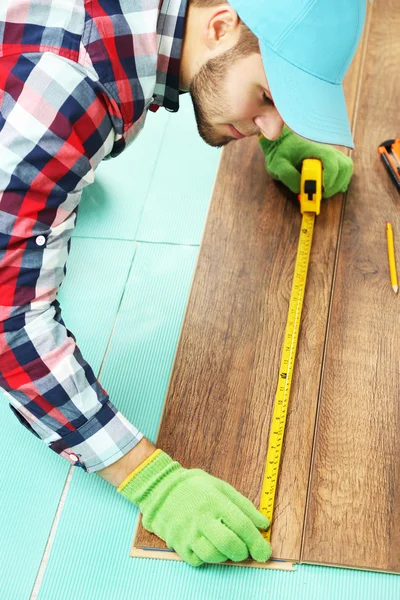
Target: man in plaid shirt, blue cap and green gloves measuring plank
[77, 79]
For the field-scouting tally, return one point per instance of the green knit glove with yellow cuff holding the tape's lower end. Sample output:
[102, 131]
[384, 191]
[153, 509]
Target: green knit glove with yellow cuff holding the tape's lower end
[201, 517]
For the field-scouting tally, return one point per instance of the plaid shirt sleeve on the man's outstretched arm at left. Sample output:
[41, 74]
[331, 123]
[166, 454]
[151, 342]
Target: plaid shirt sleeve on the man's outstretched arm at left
[55, 128]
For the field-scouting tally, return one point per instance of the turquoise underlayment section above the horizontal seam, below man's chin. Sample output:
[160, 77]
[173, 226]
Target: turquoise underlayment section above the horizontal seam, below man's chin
[158, 190]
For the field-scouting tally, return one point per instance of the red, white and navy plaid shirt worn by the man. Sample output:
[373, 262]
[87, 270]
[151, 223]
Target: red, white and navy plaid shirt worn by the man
[76, 80]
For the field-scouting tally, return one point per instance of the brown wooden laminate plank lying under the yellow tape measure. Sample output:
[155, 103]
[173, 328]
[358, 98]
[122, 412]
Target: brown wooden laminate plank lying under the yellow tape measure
[219, 402]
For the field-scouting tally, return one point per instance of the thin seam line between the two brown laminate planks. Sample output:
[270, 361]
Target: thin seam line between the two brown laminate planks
[331, 298]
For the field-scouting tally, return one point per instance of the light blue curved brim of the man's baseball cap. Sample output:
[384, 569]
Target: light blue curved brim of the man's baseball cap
[311, 107]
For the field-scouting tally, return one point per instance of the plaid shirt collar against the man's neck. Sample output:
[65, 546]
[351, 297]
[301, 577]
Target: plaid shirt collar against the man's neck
[170, 30]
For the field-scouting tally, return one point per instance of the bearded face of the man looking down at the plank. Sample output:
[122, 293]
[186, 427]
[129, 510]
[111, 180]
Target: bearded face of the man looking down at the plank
[232, 100]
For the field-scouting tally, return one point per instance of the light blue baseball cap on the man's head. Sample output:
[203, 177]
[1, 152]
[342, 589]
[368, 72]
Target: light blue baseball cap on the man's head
[307, 47]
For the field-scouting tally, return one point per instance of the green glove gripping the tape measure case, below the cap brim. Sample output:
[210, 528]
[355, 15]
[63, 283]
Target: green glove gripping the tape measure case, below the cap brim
[284, 157]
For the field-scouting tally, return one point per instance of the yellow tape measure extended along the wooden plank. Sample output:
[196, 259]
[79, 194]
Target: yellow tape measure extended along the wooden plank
[310, 202]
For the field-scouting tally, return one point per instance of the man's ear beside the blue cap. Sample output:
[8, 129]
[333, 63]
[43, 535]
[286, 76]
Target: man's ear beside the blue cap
[222, 28]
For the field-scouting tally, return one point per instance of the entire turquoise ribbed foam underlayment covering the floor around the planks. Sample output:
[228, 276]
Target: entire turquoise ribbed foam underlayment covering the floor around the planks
[90, 555]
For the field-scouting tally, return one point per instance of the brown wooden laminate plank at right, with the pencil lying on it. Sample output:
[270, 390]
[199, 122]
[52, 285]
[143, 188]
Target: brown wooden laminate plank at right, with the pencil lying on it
[354, 507]
